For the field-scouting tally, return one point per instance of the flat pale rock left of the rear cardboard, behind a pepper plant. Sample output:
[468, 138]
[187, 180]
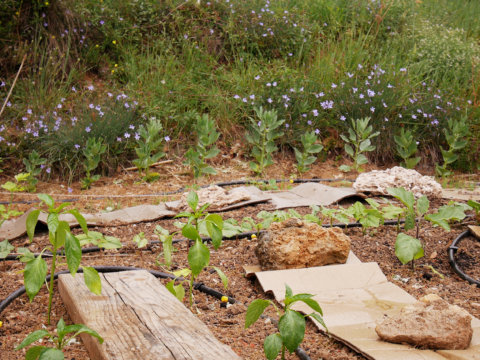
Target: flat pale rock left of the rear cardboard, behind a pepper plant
[215, 195]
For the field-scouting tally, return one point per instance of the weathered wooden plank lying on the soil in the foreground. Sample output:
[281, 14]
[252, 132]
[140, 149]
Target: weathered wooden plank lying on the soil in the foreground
[138, 319]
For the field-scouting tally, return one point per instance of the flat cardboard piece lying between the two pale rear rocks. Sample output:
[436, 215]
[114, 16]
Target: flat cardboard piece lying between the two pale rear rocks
[311, 194]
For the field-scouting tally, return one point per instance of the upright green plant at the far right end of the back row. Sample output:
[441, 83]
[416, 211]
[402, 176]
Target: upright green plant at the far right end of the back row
[455, 135]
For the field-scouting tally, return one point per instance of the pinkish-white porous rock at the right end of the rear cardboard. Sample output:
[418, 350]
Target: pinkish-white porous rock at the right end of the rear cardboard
[378, 181]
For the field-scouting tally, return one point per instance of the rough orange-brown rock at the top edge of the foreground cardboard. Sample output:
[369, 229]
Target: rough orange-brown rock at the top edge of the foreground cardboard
[296, 244]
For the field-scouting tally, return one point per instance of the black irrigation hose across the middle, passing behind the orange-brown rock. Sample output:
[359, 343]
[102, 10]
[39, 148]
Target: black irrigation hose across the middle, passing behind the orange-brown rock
[248, 234]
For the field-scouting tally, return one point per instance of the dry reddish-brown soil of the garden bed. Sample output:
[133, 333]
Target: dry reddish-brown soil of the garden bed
[227, 324]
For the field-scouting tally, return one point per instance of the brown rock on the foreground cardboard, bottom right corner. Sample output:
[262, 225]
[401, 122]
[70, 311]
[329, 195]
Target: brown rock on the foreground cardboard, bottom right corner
[430, 323]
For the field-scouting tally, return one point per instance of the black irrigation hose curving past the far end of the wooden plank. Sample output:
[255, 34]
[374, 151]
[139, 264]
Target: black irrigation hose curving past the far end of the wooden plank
[302, 355]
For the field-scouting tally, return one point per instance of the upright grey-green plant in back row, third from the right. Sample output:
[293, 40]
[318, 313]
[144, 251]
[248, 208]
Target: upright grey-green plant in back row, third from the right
[359, 140]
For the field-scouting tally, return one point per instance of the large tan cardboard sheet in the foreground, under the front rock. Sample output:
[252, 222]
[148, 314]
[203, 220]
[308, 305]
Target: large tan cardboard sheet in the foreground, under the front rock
[353, 298]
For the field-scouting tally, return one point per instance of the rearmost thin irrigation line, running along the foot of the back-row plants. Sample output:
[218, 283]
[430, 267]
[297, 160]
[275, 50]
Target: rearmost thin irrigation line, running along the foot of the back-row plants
[182, 189]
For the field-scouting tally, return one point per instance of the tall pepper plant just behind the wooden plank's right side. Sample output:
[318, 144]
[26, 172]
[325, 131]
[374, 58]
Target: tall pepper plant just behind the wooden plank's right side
[198, 221]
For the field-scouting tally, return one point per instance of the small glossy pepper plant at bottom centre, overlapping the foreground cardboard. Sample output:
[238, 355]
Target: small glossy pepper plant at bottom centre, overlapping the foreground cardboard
[291, 323]
